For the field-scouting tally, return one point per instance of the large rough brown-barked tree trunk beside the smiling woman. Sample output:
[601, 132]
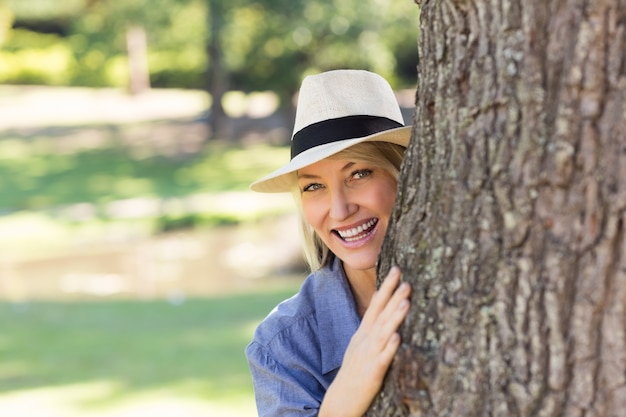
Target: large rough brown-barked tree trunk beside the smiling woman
[510, 218]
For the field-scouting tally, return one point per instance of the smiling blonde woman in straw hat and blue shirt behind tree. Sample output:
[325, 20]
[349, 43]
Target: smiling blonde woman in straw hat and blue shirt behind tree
[326, 350]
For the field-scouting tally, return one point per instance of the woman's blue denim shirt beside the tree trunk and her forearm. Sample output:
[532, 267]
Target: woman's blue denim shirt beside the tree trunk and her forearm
[298, 348]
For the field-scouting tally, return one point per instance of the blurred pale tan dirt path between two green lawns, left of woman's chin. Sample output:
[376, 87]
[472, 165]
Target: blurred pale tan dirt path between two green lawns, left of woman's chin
[172, 266]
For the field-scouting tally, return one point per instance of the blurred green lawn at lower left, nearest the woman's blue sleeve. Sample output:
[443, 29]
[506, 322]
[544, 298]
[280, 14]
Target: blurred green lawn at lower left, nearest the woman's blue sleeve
[134, 358]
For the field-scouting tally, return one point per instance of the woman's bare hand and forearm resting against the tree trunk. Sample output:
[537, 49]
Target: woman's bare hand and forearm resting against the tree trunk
[370, 351]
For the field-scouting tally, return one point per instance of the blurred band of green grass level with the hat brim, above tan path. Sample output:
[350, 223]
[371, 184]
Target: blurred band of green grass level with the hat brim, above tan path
[34, 176]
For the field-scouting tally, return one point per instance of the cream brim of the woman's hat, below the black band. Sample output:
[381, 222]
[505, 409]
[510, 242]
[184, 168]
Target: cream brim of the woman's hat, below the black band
[283, 179]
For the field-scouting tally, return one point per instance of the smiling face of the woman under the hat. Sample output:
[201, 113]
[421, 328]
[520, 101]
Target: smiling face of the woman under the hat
[348, 204]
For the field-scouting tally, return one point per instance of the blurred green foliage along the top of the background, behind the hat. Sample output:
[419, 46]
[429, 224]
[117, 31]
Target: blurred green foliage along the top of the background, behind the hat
[267, 45]
